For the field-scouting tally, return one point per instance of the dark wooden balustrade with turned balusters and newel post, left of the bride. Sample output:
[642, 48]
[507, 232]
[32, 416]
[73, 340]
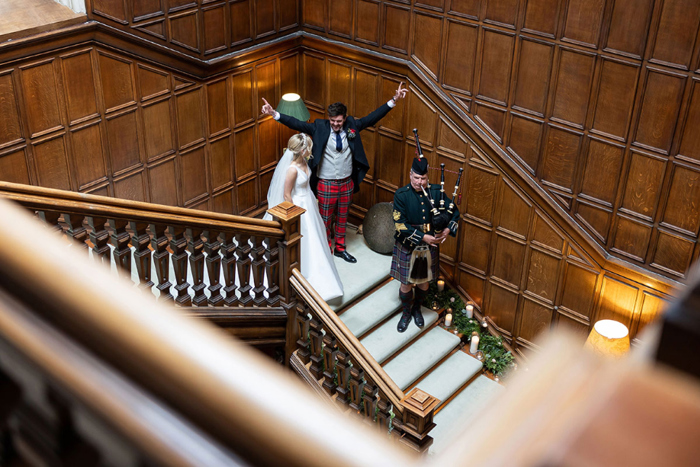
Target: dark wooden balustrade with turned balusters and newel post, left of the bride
[247, 261]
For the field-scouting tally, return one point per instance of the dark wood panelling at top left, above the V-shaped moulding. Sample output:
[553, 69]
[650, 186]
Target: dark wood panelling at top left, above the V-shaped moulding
[199, 28]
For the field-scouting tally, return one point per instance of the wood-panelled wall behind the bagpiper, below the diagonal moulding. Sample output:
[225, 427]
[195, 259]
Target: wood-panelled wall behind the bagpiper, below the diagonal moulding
[515, 260]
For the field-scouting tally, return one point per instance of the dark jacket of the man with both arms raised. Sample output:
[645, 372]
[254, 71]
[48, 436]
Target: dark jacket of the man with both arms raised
[320, 131]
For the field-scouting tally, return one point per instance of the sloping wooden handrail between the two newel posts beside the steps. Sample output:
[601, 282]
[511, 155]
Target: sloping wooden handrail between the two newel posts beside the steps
[340, 331]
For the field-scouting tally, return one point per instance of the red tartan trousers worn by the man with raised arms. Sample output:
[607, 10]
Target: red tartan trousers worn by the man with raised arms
[334, 194]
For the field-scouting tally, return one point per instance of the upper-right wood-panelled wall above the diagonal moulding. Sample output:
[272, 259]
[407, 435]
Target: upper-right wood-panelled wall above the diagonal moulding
[596, 101]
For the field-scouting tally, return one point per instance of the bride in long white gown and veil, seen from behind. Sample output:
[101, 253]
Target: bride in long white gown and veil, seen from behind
[290, 182]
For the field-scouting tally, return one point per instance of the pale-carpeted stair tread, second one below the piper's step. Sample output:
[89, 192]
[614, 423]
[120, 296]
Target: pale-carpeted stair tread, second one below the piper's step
[451, 375]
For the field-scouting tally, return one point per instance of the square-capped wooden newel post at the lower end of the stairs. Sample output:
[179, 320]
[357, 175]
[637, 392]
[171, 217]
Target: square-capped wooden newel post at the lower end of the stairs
[417, 420]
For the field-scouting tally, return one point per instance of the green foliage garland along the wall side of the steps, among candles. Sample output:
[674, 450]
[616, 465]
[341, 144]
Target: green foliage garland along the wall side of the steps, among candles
[497, 359]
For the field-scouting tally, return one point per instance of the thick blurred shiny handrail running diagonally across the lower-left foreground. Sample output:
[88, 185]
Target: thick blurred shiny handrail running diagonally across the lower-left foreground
[229, 391]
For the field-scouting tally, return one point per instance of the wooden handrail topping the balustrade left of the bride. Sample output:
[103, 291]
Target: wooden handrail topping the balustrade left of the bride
[71, 202]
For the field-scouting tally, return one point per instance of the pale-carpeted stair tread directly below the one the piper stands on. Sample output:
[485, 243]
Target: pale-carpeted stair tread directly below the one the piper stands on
[422, 355]
